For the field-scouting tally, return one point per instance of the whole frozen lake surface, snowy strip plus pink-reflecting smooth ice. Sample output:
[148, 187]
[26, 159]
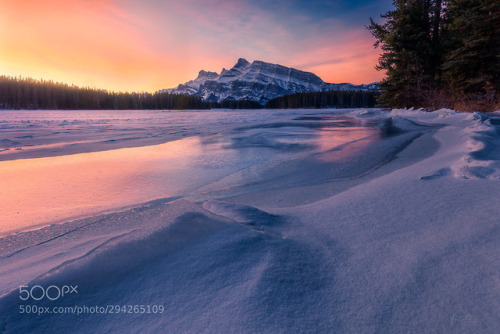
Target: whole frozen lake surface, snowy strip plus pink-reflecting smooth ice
[215, 147]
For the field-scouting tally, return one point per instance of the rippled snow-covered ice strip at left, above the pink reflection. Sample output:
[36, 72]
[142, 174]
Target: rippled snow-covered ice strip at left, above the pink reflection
[31, 134]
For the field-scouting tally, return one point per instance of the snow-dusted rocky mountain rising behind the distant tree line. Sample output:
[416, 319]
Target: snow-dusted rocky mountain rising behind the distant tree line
[257, 81]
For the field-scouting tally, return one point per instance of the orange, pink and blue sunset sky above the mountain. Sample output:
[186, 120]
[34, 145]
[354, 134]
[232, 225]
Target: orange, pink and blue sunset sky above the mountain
[147, 45]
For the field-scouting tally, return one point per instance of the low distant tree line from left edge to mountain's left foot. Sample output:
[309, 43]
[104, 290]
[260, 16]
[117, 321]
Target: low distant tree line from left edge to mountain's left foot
[26, 93]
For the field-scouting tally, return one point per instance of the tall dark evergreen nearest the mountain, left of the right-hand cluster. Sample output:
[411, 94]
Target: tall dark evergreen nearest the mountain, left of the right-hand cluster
[409, 39]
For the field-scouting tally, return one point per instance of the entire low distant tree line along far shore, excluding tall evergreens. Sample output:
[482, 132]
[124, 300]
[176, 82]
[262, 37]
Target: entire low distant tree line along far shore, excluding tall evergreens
[27, 93]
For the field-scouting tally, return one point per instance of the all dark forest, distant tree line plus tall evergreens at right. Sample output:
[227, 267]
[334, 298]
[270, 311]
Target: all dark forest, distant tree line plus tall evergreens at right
[435, 54]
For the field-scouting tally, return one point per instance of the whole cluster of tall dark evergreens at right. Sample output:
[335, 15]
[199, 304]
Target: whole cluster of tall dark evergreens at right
[440, 53]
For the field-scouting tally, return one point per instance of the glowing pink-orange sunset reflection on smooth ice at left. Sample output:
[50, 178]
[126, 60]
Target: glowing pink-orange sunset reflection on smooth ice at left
[37, 191]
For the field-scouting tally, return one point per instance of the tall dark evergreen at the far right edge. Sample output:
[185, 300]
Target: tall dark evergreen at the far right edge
[472, 65]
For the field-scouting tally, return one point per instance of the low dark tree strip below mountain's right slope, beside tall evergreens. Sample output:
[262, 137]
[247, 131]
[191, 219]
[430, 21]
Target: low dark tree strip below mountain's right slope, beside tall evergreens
[328, 99]
